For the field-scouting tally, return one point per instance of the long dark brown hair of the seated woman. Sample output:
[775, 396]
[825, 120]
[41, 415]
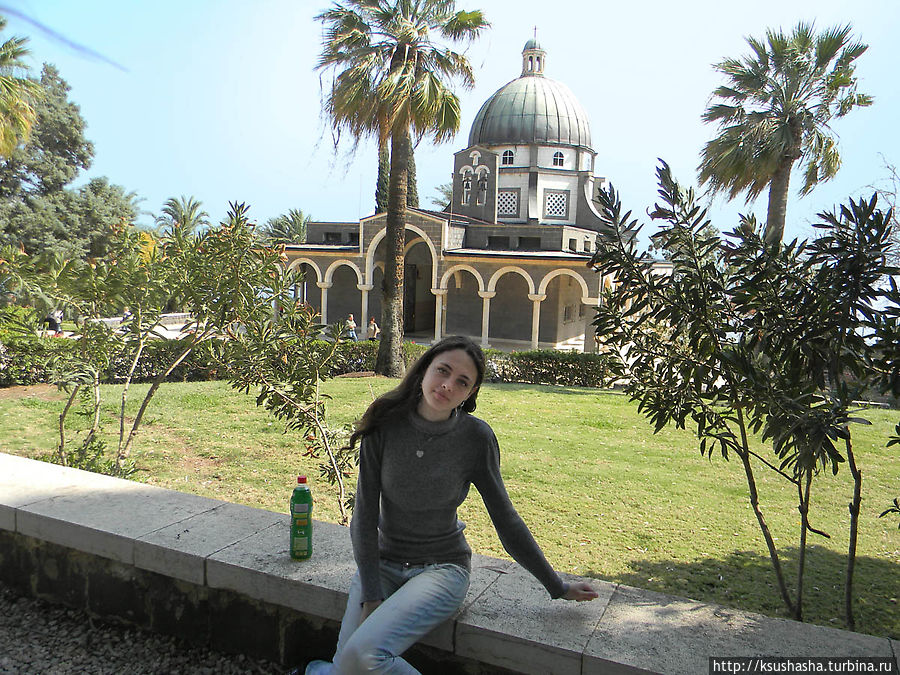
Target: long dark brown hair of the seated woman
[406, 395]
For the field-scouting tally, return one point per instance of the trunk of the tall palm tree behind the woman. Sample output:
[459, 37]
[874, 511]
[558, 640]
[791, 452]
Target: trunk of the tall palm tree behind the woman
[390, 350]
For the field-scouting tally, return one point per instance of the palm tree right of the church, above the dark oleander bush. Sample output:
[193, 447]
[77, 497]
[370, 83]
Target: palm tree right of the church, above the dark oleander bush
[775, 110]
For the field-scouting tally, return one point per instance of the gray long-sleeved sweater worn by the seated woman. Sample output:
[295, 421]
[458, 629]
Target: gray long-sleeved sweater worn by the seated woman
[413, 475]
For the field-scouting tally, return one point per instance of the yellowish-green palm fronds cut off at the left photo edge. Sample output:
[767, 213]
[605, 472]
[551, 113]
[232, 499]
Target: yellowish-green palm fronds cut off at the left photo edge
[17, 94]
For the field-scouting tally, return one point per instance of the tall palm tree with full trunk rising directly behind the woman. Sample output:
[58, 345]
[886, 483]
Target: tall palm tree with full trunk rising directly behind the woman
[391, 80]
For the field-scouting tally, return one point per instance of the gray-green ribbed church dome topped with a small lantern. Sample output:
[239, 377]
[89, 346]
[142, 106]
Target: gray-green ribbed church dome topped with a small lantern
[532, 109]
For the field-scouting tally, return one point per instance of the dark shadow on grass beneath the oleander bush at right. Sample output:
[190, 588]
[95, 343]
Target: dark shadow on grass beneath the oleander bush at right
[746, 580]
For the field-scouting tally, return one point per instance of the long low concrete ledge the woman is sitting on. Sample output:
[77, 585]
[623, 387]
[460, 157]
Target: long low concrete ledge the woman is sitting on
[220, 573]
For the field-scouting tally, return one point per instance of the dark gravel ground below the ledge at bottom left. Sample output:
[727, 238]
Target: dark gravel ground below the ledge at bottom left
[43, 639]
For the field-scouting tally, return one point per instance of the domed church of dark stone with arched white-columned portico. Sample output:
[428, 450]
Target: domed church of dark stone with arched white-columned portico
[506, 261]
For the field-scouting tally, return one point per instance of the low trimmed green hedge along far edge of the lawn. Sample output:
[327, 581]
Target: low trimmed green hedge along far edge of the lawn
[25, 361]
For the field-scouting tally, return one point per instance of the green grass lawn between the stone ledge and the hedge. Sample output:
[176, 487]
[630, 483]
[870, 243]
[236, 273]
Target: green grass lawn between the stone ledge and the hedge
[604, 496]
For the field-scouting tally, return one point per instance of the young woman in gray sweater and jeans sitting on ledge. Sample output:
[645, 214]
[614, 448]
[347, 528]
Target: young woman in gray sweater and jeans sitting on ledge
[420, 451]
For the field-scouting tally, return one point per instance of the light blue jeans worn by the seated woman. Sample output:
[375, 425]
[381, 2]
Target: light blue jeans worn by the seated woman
[417, 599]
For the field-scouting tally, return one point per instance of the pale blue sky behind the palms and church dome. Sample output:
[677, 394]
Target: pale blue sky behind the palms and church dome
[220, 99]
